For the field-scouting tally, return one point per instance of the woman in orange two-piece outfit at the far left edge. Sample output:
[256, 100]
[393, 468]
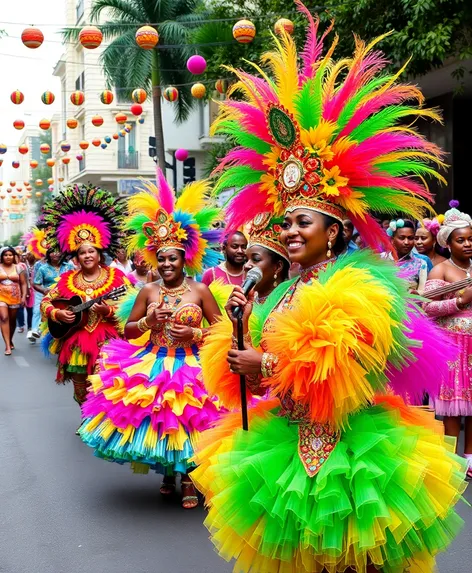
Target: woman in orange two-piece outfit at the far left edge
[13, 291]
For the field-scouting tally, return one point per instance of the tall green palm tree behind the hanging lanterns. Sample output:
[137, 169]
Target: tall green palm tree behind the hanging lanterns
[126, 66]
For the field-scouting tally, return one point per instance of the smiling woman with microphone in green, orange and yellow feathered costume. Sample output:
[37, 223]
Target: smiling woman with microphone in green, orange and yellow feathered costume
[338, 477]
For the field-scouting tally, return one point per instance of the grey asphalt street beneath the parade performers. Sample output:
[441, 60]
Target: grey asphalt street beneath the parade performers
[64, 511]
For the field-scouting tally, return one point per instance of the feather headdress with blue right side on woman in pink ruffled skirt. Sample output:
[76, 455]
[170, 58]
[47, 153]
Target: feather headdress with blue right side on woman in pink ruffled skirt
[158, 221]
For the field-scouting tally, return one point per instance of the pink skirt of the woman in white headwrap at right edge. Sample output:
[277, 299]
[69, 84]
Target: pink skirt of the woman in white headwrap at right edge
[455, 393]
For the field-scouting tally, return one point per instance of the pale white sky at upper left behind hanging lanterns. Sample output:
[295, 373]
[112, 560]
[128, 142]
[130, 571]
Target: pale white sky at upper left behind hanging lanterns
[30, 71]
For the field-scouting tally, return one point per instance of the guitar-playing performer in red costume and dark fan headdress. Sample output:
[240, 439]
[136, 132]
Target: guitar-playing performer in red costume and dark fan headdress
[83, 222]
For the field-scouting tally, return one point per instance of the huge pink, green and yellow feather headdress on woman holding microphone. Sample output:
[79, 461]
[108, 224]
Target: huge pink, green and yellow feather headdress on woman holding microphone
[326, 135]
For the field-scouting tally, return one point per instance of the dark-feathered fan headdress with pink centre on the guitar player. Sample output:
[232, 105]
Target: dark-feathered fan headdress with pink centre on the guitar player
[84, 215]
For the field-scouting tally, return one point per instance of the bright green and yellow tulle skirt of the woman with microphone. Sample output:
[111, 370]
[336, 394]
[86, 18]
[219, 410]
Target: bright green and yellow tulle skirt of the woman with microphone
[385, 495]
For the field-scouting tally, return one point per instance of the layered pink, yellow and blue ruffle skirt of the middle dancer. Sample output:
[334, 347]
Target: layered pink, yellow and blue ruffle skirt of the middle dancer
[147, 406]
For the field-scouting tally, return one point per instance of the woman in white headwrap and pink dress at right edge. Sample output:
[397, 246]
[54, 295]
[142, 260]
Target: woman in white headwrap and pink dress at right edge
[453, 313]
